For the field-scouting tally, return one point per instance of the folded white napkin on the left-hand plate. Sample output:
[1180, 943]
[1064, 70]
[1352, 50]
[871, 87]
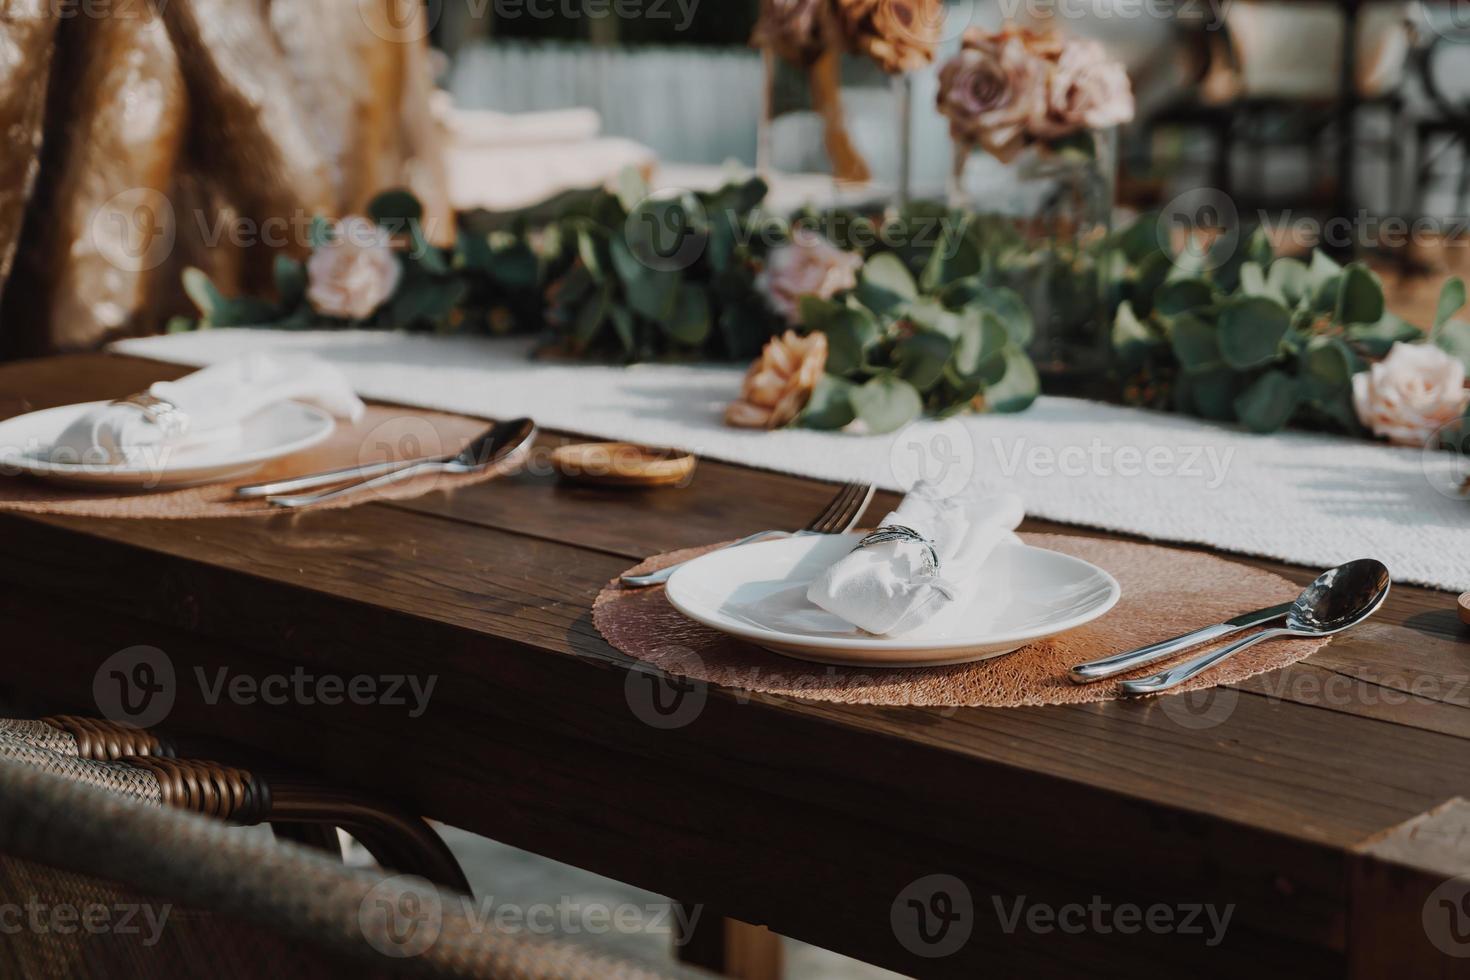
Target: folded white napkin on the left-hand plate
[212, 403]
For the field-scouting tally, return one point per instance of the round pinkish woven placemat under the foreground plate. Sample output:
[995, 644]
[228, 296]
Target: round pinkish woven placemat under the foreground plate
[1165, 593]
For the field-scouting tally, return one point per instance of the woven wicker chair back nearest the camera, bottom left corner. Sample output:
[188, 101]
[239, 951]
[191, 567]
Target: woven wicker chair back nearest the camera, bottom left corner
[168, 894]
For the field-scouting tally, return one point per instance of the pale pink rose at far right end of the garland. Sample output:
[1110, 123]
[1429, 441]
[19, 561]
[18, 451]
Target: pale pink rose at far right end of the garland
[1410, 394]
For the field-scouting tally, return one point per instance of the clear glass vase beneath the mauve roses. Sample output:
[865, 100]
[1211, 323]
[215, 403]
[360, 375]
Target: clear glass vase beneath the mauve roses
[1047, 217]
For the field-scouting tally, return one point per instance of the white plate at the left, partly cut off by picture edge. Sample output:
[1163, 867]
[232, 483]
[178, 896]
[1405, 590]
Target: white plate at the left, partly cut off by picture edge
[273, 433]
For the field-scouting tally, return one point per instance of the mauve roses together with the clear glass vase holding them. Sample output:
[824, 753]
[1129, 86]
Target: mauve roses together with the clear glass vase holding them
[1040, 111]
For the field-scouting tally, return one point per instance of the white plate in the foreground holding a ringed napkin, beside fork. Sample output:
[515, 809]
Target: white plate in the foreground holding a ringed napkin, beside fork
[758, 593]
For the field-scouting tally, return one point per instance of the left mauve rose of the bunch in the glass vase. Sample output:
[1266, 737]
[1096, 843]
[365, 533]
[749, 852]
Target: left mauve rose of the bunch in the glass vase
[990, 95]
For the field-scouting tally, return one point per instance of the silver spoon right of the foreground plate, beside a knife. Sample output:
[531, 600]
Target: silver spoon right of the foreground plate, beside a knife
[1338, 600]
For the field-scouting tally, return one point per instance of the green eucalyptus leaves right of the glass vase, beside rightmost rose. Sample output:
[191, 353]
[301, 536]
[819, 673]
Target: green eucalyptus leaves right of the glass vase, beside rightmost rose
[1234, 333]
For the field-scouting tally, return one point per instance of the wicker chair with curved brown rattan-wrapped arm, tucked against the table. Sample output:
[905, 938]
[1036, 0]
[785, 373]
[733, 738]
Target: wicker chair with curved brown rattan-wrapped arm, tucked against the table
[298, 809]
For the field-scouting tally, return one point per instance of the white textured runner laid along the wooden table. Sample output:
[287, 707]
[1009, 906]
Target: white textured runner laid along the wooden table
[1312, 500]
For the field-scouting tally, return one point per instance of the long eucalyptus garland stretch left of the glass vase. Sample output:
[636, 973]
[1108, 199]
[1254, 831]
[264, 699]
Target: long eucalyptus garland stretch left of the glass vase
[631, 277]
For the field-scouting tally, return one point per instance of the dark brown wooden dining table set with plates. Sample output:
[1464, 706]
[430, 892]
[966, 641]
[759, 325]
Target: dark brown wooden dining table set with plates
[1319, 807]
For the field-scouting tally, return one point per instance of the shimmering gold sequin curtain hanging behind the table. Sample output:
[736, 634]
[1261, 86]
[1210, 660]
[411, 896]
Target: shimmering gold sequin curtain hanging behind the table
[140, 139]
